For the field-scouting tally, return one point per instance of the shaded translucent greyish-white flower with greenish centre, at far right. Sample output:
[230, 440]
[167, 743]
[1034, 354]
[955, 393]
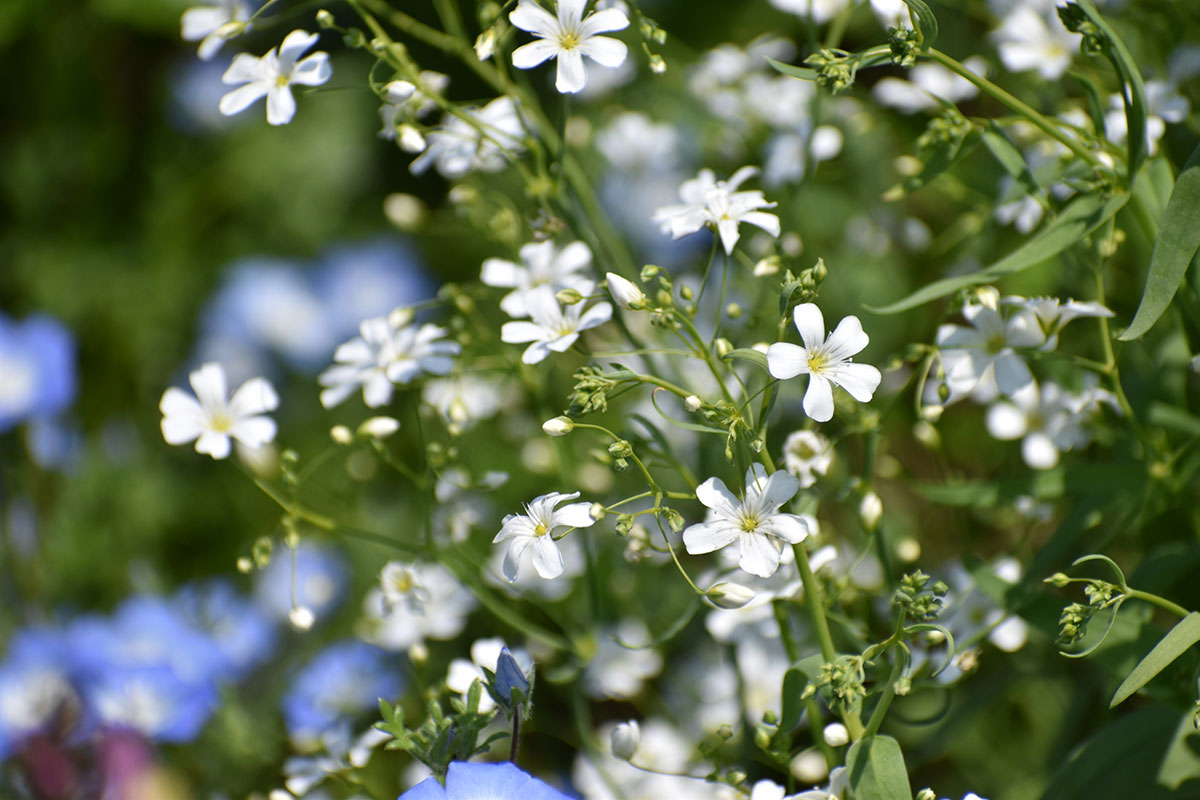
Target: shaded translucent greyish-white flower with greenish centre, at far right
[971, 354]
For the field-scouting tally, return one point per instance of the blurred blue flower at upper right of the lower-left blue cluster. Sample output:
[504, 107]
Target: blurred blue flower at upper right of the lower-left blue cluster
[242, 631]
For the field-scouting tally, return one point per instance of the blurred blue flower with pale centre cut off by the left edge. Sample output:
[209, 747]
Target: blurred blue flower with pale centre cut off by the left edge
[38, 363]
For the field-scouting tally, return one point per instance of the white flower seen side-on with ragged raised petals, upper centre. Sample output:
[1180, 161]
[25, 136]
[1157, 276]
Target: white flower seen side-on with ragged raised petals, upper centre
[710, 202]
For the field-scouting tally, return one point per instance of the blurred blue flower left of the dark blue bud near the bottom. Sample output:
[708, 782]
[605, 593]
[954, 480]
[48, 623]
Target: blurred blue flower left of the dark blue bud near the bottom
[346, 678]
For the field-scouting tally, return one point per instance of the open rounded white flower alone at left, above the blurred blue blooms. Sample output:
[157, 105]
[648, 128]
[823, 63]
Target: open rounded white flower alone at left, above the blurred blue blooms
[217, 417]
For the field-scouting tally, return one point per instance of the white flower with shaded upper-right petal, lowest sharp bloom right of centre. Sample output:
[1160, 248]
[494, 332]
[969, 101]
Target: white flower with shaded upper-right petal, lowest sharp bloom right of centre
[755, 522]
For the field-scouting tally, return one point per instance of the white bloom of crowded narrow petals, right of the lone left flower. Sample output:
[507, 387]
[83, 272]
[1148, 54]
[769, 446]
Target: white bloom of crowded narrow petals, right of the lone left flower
[386, 354]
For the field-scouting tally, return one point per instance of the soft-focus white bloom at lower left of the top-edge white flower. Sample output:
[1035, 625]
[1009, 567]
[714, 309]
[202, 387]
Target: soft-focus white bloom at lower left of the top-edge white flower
[460, 148]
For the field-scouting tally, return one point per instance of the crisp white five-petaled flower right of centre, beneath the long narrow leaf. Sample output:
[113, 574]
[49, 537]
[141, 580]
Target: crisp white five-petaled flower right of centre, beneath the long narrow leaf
[826, 360]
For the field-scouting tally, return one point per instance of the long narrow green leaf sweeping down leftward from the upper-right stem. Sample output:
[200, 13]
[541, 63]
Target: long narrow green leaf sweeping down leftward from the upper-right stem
[1083, 216]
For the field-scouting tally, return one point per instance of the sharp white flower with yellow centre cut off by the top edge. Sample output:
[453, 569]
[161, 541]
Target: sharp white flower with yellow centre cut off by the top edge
[569, 38]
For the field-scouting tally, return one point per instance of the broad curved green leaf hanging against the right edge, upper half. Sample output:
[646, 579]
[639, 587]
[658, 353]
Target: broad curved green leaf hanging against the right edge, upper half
[1179, 240]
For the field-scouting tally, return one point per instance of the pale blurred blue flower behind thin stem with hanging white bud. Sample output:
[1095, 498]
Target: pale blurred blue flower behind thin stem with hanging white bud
[321, 578]
